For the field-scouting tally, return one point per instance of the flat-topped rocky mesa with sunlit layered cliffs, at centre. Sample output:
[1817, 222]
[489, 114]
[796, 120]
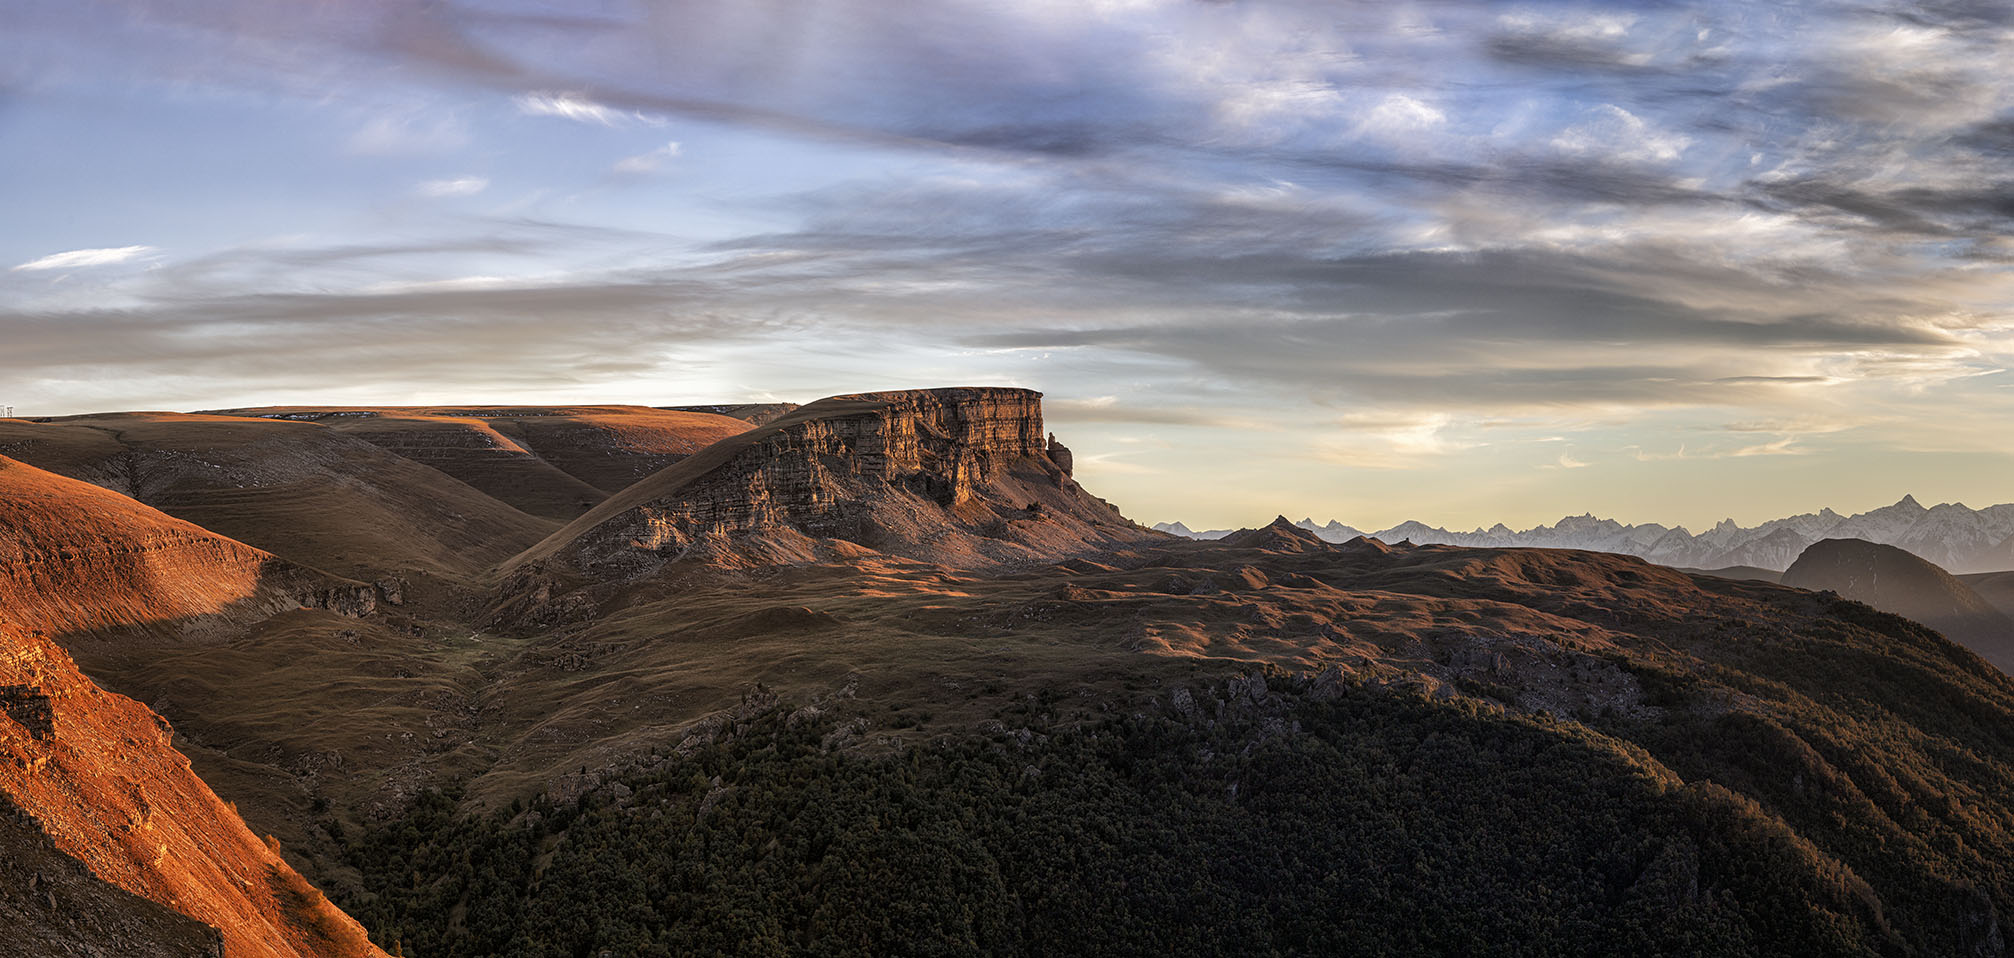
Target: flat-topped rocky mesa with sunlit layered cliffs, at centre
[954, 476]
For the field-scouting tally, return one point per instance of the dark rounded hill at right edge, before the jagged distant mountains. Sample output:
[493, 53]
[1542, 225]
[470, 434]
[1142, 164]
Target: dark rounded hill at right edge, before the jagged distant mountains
[1896, 581]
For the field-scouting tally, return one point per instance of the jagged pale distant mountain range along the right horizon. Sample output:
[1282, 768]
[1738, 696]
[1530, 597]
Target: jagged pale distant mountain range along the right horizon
[1949, 534]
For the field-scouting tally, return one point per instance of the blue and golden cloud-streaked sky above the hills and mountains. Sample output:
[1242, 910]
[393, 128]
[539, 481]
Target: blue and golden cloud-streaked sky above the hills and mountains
[1459, 263]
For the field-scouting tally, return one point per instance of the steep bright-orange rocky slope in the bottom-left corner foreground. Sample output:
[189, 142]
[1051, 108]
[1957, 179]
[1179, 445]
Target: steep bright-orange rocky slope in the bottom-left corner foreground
[98, 778]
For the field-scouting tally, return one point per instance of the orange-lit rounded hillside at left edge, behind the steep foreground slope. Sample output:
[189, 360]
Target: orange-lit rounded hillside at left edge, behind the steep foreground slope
[78, 558]
